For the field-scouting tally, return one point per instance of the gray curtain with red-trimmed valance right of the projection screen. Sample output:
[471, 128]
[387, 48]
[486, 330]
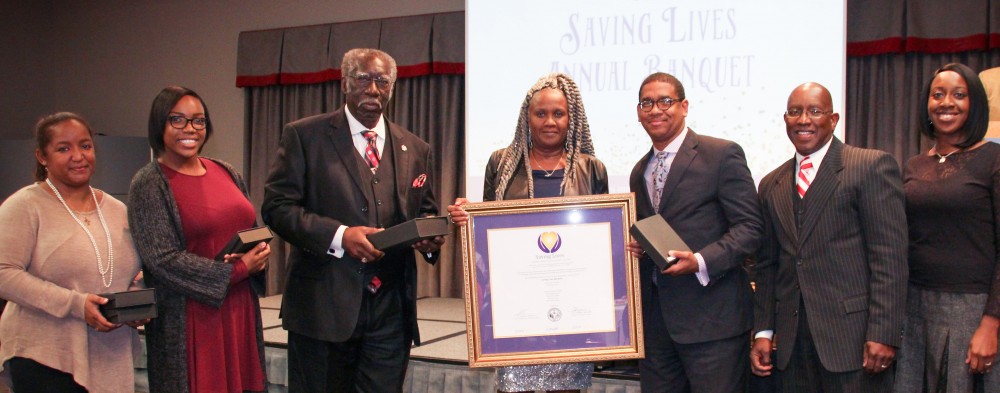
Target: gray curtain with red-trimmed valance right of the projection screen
[893, 48]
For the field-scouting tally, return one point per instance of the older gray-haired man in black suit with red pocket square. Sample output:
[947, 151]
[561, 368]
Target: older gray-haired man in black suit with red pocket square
[350, 310]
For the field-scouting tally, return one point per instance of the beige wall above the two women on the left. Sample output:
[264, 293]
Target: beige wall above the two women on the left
[108, 59]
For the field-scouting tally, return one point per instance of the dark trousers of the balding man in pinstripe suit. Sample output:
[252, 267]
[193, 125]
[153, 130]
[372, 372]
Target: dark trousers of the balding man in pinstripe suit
[805, 372]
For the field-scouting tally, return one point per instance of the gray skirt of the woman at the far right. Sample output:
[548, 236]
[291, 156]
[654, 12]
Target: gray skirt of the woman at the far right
[939, 327]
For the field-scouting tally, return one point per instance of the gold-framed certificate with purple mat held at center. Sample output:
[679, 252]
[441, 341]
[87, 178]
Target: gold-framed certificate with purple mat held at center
[549, 280]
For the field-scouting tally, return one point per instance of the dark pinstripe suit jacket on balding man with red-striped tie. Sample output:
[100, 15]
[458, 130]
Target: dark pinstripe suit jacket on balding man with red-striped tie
[845, 259]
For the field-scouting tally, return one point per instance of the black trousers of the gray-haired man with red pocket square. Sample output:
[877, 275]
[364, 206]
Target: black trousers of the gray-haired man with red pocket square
[373, 359]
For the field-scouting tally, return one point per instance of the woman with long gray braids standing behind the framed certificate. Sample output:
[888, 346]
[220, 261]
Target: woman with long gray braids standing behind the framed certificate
[551, 155]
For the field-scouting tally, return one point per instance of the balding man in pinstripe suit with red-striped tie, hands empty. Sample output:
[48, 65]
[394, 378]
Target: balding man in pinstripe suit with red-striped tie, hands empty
[831, 274]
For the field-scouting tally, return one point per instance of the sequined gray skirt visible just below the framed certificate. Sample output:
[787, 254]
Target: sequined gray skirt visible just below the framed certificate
[563, 376]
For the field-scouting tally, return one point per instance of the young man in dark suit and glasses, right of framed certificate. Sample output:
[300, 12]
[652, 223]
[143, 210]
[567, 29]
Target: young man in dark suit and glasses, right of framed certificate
[697, 314]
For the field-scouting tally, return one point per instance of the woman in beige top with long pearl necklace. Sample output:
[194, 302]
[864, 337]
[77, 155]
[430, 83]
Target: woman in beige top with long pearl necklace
[63, 243]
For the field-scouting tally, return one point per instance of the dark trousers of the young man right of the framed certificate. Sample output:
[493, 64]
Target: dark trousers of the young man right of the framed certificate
[720, 366]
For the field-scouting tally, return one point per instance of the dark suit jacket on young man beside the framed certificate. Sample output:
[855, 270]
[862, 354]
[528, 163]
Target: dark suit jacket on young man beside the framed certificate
[710, 201]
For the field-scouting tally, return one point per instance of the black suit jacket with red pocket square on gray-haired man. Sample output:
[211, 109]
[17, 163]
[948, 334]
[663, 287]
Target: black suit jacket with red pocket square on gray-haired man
[315, 187]
